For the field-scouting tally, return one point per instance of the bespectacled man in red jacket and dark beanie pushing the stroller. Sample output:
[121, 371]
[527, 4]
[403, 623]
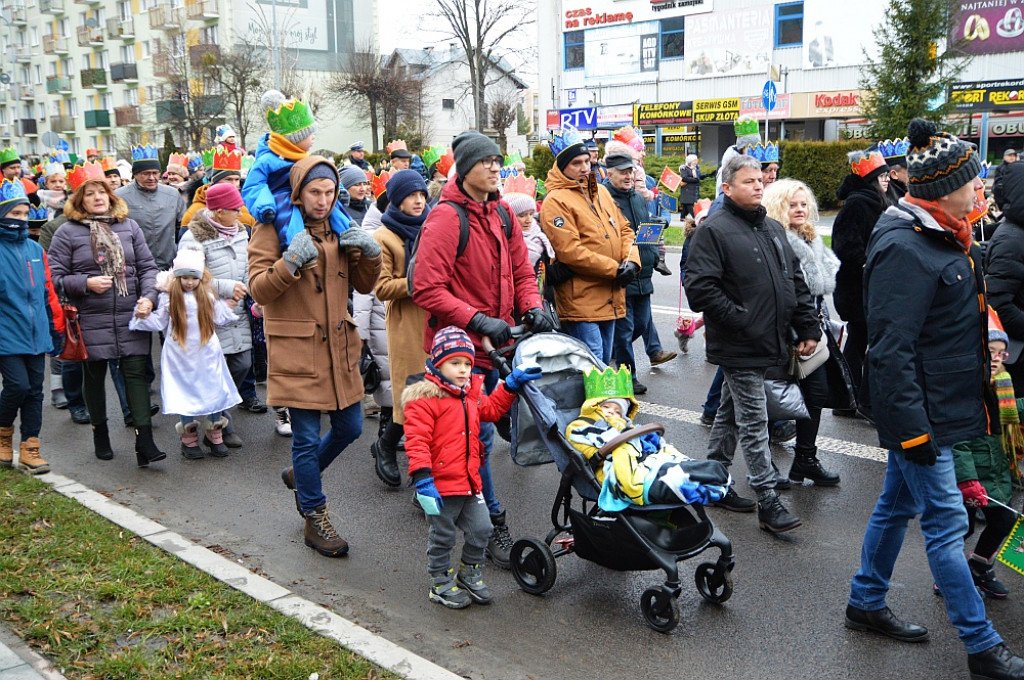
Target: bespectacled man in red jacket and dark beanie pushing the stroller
[480, 289]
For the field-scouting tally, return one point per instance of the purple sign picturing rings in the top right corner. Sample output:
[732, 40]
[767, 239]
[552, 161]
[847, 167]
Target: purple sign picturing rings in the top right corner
[988, 28]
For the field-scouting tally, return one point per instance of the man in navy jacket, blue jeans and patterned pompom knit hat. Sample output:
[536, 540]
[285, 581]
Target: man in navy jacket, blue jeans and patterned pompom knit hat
[929, 369]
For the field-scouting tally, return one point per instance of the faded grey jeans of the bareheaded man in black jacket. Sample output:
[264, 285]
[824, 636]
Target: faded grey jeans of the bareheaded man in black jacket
[744, 412]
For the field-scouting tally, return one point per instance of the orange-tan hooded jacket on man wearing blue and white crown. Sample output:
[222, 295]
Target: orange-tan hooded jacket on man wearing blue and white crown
[591, 237]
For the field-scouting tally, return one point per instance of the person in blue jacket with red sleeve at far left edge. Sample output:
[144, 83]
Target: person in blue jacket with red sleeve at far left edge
[31, 325]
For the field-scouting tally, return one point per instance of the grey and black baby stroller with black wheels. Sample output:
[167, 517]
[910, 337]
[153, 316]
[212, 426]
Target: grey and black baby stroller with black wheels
[642, 538]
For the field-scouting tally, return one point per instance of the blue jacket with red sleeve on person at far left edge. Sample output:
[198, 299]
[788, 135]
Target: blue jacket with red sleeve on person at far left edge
[30, 313]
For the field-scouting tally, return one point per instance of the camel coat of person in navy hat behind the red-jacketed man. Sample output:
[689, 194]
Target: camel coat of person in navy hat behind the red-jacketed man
[404, 320]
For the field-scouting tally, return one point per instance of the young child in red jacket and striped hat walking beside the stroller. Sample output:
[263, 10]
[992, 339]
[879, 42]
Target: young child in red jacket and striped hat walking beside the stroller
[443, 428]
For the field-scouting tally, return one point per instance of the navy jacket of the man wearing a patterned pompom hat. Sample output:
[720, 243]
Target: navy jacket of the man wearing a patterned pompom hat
[927, 334]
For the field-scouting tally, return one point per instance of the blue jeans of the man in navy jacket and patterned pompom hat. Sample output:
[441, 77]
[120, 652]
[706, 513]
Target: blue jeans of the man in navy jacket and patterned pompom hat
[911, 490]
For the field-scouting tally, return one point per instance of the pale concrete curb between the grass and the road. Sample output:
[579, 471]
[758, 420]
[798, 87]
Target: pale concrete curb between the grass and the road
[375, 649]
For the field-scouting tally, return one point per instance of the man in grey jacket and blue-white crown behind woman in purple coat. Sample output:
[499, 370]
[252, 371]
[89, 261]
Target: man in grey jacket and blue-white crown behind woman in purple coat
[155, 208]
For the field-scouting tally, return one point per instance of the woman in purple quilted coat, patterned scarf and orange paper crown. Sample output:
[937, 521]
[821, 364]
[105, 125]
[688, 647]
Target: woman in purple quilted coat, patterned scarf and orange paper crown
[103, 262]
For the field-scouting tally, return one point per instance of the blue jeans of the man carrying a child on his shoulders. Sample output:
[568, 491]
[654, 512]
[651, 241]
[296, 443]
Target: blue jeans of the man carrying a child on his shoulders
[312, 454]
